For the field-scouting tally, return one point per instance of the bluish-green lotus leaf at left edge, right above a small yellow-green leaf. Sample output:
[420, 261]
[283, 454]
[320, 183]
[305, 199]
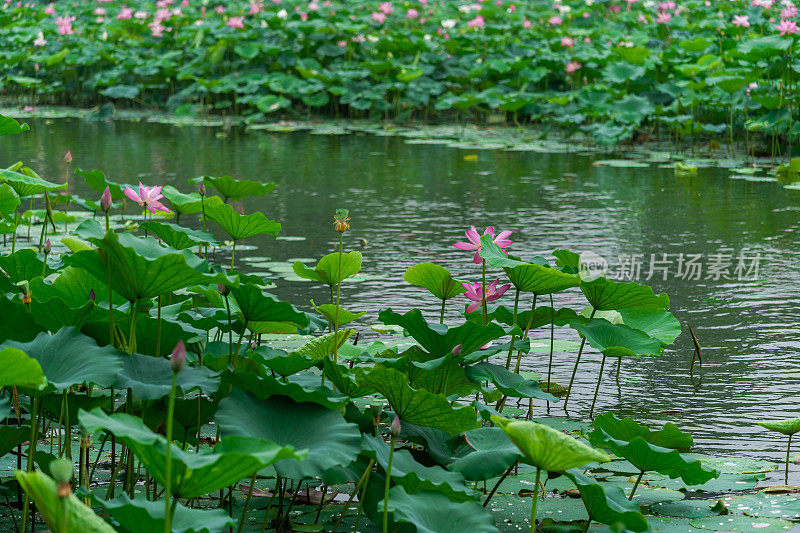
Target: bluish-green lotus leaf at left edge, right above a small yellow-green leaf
[70, 358]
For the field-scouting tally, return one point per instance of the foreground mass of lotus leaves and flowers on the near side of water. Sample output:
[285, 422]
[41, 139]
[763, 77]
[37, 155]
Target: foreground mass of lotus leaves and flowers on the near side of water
[150, 383]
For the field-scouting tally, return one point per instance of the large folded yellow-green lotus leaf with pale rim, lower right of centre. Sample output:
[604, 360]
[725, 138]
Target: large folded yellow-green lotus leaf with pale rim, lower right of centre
[547, 448]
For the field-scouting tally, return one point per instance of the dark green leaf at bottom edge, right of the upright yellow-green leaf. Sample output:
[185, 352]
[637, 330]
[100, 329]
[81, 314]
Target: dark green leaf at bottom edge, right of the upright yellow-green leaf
[140, 515]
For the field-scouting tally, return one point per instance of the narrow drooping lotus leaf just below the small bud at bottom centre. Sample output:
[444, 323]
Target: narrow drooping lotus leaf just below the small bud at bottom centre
[414, 477]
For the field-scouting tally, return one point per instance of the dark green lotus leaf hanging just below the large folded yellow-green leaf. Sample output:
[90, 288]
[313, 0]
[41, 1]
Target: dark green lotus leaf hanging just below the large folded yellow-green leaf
[608, 505]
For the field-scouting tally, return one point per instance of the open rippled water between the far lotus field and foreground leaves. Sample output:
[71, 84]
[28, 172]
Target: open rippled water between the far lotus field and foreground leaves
[411, 202]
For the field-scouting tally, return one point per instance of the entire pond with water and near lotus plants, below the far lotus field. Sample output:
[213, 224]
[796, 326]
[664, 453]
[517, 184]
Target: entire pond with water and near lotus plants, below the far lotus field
[242, 405]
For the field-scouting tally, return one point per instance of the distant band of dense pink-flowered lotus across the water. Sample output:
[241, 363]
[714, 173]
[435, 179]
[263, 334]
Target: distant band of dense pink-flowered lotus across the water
[611, 69]
